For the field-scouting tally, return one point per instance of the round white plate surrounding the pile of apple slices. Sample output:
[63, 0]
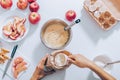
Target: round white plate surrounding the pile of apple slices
[8, 17]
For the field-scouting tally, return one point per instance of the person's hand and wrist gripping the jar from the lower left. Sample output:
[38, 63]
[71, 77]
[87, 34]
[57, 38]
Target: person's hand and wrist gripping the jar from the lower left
[39, 71]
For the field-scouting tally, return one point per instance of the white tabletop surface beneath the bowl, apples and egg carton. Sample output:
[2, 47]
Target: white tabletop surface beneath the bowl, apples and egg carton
[88, 39]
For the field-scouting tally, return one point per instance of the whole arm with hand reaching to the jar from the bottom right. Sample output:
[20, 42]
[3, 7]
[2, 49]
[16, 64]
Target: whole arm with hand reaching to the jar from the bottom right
[83, 62]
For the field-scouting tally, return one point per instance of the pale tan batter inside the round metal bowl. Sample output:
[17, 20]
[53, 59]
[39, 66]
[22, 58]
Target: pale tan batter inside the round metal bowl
[55, 36]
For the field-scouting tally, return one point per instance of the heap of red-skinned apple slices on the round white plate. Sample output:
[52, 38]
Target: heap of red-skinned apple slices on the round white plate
[15, 30]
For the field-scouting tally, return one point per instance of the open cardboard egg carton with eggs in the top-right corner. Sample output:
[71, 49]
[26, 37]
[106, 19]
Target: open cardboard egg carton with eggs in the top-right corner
[103, 12]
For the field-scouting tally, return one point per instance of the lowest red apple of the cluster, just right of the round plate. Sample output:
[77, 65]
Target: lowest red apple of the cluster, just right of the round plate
[34, 17]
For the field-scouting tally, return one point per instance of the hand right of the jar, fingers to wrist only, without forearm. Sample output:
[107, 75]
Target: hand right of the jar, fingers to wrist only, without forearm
[80, 60]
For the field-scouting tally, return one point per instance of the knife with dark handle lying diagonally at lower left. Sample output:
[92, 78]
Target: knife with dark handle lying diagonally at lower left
[10, 60]
